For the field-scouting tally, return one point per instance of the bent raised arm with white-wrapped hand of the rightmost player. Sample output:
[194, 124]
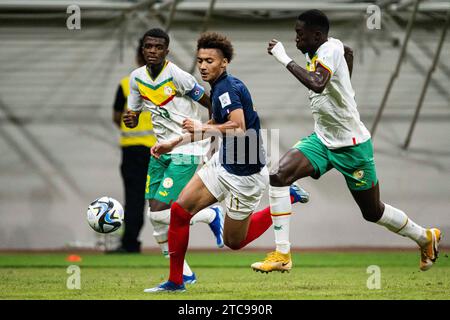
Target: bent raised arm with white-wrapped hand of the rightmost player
[315, 81]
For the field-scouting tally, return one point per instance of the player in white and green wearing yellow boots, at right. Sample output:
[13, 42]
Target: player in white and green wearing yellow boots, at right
[340, 140]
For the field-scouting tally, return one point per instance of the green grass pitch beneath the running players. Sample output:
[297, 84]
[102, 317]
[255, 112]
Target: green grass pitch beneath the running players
[225, 275]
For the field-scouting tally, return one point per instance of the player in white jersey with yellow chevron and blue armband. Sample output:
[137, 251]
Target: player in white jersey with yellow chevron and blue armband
[171, 95]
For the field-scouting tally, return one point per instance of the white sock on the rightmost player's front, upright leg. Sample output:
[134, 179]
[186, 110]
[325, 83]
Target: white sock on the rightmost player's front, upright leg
[281, 209]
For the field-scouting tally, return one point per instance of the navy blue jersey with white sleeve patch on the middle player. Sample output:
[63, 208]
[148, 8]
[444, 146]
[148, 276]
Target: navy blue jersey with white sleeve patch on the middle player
[245, 155]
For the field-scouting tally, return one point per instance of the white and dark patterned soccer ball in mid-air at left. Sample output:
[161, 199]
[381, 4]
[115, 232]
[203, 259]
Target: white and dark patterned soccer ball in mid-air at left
[105, 215]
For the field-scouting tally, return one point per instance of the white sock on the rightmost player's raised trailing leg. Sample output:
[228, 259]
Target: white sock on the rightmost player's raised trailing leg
[397, 221]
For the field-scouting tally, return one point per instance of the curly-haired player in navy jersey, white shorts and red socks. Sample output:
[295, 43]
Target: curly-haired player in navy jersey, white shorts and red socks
[238, 178]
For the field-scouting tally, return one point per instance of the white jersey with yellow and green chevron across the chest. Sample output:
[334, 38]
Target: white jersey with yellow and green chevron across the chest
[170, 97]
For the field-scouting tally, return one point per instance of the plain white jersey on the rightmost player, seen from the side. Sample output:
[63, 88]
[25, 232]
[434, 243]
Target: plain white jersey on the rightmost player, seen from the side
[337, 120]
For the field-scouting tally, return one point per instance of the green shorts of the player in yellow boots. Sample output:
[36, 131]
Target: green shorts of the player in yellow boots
[356, 163]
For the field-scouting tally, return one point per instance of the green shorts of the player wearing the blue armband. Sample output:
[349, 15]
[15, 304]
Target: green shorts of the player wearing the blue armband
[169, 175]
